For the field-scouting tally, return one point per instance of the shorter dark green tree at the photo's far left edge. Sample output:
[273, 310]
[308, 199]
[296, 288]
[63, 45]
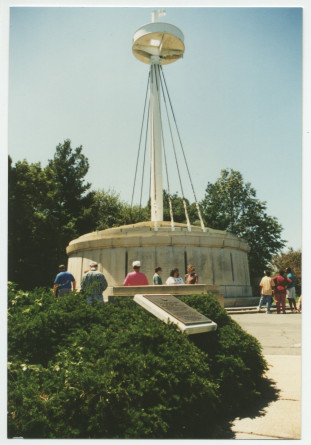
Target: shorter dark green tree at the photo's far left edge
[31, 231]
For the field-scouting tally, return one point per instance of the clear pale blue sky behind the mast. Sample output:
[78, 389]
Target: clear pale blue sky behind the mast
[237, 96]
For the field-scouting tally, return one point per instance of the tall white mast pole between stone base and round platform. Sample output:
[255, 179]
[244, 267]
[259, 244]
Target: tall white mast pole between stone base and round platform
[156, 143]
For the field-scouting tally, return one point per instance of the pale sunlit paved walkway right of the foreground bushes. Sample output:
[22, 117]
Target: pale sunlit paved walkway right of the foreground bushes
[280, 337]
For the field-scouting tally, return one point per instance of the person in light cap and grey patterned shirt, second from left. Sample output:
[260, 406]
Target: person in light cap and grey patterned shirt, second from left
[94, 283]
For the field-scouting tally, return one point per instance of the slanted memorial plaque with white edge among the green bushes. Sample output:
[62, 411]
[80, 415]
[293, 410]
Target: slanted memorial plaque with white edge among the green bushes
[168, 308]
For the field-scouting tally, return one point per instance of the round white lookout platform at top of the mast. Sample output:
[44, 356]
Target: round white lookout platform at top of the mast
[159, 39]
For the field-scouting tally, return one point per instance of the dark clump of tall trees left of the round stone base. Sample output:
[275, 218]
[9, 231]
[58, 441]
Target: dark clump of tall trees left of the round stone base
[48, 207]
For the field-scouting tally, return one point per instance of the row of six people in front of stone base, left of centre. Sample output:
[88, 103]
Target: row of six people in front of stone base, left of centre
[94, 282]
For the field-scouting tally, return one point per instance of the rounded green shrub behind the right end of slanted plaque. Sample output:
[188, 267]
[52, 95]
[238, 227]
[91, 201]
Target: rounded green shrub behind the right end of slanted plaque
[234, 356]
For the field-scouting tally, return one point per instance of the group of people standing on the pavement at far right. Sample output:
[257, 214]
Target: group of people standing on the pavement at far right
[279, 287]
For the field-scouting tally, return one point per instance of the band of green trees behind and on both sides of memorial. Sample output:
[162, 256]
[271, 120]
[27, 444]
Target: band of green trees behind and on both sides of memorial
[50, 206]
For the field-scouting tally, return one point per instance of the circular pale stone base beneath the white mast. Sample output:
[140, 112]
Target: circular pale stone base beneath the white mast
[220, 258]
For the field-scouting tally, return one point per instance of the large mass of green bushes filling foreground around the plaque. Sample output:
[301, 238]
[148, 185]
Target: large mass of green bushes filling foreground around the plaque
[116, 371]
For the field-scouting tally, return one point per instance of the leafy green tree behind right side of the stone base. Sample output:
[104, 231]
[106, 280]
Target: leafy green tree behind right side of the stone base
[231, 205]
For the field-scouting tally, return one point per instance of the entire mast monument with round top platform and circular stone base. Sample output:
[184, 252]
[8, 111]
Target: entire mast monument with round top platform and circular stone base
[220, 258]
